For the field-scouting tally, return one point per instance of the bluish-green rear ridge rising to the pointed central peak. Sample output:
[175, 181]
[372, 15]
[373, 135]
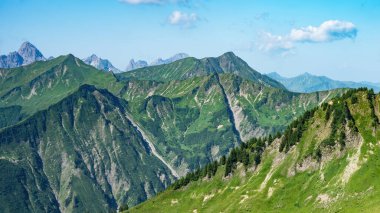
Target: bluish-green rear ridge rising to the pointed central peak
[192, 67]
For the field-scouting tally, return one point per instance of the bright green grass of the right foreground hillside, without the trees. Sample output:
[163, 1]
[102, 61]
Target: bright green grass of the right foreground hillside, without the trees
[312, 190]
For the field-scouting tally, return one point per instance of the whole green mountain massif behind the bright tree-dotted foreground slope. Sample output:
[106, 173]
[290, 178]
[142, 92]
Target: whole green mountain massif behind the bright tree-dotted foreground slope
[127, 138]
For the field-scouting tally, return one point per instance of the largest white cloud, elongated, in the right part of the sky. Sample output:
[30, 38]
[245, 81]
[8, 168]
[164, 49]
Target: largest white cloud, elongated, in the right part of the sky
[328, 31]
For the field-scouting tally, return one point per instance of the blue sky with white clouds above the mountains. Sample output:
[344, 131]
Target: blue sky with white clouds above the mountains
[339, 39]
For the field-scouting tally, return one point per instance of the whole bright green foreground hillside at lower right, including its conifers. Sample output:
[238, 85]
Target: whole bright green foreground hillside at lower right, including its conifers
[329, 163]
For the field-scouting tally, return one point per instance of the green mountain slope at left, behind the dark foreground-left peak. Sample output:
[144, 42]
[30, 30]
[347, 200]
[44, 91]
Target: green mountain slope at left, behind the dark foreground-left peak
[37, 86]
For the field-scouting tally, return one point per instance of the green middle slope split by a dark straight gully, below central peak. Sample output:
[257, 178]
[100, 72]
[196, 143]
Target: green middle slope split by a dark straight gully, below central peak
[219, 110]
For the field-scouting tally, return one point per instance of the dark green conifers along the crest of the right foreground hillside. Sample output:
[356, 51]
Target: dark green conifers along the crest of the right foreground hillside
[250, 153]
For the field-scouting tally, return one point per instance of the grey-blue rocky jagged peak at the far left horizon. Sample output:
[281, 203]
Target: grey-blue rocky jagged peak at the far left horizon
[26, 54]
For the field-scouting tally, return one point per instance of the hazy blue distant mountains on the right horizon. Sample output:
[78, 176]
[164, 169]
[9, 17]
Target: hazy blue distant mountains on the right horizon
[312, 83]
